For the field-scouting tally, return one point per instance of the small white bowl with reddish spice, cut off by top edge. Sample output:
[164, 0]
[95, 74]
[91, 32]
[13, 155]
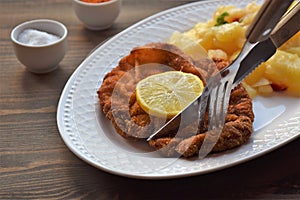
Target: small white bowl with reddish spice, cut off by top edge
[97, 16]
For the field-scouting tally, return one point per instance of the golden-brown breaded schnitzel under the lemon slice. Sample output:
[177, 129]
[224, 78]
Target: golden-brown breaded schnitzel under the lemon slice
[118, 101]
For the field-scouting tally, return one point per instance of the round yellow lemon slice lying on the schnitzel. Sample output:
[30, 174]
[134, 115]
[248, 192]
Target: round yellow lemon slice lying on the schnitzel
[166, 94]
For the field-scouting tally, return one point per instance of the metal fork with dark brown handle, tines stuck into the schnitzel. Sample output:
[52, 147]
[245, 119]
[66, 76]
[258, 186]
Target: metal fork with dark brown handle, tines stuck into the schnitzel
[215, 97]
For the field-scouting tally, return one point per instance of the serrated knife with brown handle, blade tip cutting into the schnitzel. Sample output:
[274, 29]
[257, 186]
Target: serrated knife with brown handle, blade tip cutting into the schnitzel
[262, 51]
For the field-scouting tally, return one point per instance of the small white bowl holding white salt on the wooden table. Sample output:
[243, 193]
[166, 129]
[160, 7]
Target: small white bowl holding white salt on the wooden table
[40, 58]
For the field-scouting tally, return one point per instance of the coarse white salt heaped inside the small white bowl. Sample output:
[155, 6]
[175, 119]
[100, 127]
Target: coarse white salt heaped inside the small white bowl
[36, 38]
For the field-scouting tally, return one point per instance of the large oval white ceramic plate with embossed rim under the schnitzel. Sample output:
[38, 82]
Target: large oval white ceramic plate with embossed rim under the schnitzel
[91, 137]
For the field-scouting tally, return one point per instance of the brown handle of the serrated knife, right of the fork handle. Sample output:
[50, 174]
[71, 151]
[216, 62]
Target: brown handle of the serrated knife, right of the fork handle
[287, 27]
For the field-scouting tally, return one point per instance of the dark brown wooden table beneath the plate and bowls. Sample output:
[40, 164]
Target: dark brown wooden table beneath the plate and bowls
[36, 164]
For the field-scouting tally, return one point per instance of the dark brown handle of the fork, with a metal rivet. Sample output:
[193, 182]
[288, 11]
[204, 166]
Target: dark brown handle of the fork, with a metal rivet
[266, 19]
